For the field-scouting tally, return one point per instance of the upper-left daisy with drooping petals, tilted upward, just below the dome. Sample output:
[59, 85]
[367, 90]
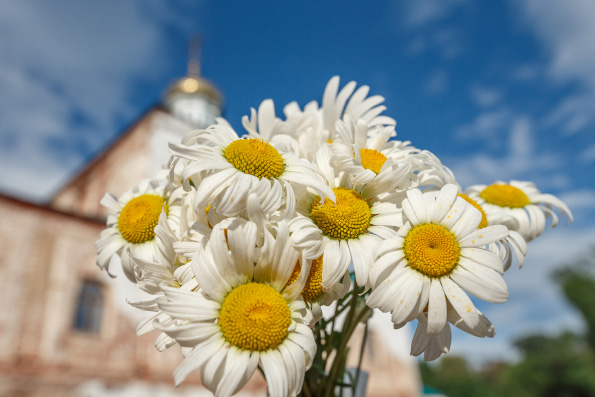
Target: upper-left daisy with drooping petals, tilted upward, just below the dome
[233, 166]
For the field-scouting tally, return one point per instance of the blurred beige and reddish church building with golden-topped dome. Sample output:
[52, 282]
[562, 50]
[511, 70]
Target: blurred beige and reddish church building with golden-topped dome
[65, 329]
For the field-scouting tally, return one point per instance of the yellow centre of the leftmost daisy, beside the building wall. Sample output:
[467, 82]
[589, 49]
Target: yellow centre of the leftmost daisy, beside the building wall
[139, 217]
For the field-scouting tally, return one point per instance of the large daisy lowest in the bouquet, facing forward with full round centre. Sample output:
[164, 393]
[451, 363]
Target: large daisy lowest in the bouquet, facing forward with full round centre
[244, 315]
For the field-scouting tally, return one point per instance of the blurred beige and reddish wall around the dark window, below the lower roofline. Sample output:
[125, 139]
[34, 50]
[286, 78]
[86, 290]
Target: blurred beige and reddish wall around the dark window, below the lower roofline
[46, 256]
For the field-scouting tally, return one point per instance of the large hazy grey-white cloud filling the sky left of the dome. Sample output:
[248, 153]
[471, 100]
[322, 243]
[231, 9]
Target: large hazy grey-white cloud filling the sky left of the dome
[64, 65]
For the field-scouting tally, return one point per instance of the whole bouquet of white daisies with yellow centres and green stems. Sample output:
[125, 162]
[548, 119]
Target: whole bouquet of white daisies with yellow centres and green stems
[242, 240]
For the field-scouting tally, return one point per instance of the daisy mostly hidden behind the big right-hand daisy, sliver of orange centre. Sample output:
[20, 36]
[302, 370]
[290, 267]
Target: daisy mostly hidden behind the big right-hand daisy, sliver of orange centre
[514, 242]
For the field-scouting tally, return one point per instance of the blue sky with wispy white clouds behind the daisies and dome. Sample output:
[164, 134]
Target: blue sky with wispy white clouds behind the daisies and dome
[498, 90]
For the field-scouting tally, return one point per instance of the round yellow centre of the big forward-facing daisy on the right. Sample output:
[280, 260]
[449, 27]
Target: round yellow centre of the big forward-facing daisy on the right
[431, 249]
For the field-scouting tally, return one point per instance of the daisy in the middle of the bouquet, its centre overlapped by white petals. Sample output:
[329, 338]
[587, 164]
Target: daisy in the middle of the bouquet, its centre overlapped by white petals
[350, 230]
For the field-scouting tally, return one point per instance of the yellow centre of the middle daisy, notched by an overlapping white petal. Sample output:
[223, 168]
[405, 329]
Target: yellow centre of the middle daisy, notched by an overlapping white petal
[348, 219]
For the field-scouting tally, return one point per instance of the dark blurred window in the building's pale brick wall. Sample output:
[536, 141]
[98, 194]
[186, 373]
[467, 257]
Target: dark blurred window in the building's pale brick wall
[88, 310]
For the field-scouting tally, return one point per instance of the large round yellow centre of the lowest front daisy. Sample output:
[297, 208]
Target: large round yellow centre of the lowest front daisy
[254, 317]
